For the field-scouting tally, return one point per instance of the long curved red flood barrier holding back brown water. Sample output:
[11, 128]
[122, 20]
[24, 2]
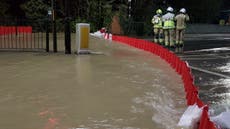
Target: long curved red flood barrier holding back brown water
[181, 67]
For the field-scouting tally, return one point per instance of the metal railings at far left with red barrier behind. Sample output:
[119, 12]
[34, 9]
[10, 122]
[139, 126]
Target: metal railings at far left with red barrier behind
[22, 35]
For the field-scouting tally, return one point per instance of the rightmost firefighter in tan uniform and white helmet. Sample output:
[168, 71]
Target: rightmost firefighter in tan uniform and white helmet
[181, 20]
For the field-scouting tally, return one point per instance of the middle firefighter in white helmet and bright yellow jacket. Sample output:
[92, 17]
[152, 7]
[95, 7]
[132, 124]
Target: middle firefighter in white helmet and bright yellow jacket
[168, 27]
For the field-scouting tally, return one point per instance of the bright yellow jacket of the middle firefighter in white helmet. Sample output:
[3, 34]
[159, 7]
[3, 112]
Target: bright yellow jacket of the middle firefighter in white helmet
[168, 20]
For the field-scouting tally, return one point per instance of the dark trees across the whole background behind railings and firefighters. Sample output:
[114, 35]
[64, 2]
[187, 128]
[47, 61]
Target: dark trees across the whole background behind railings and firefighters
[99, 13]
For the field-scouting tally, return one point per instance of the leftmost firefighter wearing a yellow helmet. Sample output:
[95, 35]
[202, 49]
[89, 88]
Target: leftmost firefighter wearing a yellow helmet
[157, 27]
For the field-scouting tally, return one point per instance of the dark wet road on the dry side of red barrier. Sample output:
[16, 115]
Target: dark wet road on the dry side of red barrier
[209, 57]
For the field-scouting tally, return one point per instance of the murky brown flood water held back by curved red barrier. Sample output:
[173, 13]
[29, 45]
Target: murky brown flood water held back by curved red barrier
[119, 88]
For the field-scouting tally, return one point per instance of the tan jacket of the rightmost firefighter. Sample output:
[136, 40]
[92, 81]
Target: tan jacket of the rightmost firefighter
[181, 21]
